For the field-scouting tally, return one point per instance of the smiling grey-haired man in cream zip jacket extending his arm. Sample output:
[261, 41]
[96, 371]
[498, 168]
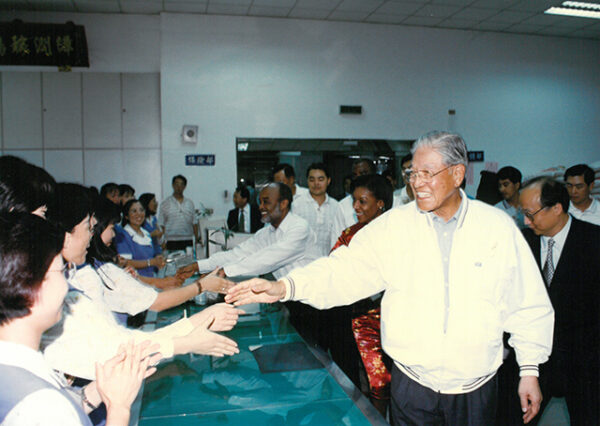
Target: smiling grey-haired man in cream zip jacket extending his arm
[461, 276]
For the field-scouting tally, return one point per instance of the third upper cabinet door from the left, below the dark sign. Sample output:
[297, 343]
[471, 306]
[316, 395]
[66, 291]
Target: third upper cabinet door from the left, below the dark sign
[102, 110]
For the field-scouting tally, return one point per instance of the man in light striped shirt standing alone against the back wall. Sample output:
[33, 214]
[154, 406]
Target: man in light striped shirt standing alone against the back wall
[177, 217]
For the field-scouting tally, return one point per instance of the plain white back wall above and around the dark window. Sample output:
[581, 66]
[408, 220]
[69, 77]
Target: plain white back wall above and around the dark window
[528, 101]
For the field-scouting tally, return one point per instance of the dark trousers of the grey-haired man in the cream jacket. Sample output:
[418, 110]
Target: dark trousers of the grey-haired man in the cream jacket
[414, 404]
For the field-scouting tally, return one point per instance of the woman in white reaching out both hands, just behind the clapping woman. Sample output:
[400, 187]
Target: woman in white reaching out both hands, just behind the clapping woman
[88, 331]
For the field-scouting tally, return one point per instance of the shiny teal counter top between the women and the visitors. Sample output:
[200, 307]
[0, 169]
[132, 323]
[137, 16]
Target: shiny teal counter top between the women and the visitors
[192, 390]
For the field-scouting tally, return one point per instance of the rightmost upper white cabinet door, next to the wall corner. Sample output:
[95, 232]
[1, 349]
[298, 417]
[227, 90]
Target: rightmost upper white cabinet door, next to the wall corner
[141, 110]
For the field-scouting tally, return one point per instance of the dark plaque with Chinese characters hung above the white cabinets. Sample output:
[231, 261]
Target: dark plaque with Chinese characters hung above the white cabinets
[62, 45]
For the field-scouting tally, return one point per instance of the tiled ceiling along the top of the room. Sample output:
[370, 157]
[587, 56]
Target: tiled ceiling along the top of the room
[507, 16]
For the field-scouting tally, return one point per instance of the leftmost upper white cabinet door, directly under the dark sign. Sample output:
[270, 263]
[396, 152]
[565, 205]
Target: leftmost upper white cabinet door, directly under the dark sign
[22, 110]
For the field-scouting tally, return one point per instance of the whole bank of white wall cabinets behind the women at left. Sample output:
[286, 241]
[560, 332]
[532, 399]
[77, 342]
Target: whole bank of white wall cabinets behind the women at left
[90, 128]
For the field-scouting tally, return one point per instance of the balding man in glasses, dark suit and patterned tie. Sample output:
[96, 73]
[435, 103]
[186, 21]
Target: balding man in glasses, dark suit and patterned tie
[568, 253]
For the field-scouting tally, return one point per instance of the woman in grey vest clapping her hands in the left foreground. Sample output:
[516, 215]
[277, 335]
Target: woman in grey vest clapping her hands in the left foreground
[33, 286]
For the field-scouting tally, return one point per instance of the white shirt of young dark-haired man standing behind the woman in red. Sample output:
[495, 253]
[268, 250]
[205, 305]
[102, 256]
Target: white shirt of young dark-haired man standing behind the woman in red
[322, 220]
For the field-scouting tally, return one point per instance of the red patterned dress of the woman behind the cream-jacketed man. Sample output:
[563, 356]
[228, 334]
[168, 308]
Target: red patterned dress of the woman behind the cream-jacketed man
[366, 328]
